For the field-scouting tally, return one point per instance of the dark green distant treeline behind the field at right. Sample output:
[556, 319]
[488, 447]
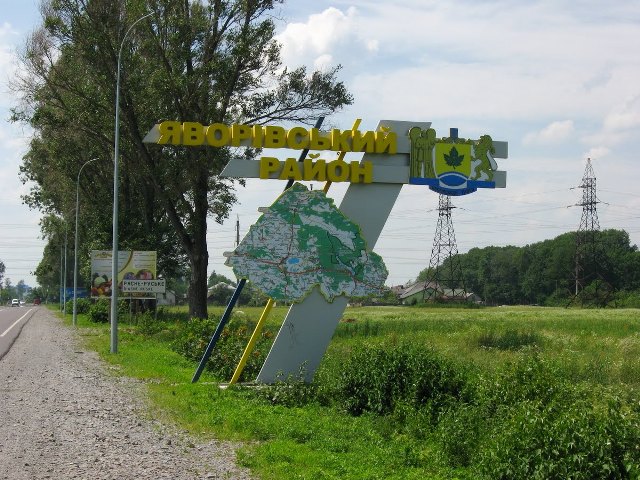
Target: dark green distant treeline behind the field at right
[543, 273]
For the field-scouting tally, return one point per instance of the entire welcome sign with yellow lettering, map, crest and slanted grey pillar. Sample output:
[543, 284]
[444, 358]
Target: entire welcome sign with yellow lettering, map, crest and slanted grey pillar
[300, 249]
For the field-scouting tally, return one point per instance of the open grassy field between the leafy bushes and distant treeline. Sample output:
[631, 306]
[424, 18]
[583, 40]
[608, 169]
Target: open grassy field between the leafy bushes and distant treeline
[597, 345]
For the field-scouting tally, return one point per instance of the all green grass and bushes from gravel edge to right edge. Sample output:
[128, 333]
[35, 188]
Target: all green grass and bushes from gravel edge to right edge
[533, 386]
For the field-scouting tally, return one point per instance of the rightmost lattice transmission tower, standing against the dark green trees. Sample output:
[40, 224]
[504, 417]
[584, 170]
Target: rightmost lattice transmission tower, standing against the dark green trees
[590, 285]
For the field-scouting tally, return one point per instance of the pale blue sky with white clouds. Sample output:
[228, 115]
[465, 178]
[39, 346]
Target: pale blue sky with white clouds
[558, 80]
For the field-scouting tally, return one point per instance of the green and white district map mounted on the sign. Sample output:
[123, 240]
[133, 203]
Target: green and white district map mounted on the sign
[301, 241]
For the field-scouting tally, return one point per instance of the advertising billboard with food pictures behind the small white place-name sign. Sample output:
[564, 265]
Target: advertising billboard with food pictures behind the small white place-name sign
[132, 265]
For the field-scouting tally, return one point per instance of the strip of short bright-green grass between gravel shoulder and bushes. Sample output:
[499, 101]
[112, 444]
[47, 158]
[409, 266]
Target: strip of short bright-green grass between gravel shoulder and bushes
[310, 442]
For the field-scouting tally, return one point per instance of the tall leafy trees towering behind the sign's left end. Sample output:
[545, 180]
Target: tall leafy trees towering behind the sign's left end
[210, 61]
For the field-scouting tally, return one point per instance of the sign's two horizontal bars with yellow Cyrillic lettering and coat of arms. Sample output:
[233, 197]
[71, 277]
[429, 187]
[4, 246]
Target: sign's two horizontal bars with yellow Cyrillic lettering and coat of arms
[450, 165]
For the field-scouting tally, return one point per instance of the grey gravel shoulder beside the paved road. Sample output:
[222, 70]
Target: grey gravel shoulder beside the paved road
[63, 416]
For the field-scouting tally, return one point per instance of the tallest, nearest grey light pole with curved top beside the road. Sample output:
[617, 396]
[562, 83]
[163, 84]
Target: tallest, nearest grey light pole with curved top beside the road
[114, 265]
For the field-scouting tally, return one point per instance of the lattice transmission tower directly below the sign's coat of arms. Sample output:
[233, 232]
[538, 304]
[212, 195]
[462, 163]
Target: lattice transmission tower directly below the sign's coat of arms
[445, 270]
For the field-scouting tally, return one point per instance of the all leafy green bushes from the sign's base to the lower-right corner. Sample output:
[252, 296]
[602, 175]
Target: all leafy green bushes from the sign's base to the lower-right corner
[526, 420]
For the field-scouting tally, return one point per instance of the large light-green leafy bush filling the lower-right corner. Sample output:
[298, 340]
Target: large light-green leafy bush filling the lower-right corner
[529, 422]
